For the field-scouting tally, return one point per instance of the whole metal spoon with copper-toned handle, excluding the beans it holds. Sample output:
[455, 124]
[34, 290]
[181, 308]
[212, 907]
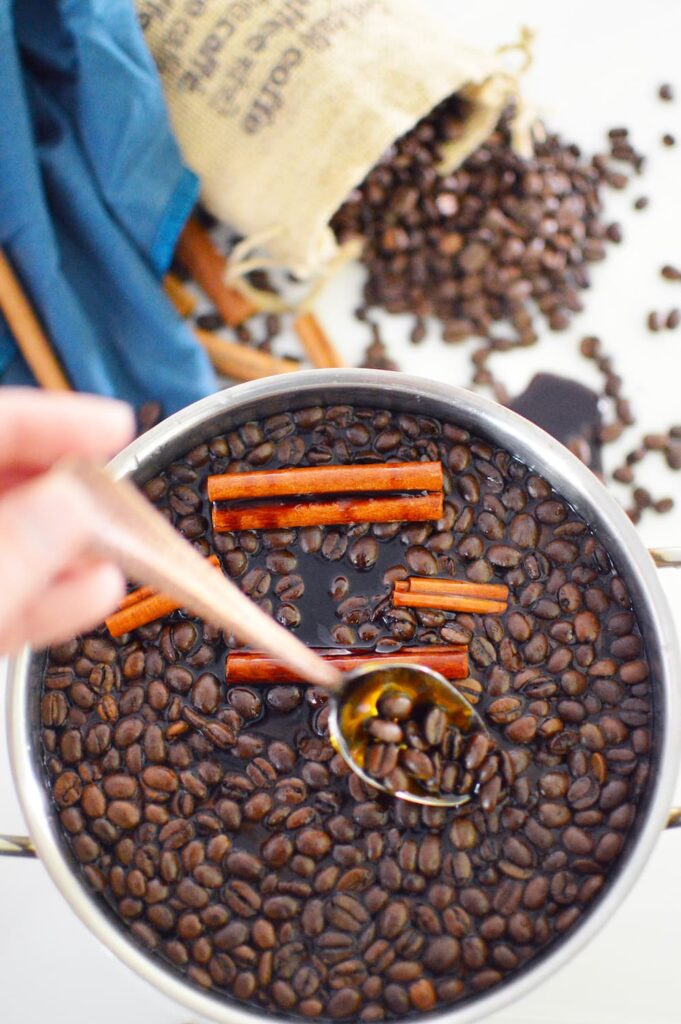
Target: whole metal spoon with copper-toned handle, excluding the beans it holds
[139, 539]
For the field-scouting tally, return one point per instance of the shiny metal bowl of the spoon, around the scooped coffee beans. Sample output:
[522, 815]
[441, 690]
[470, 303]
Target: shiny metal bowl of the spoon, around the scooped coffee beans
[355, 704]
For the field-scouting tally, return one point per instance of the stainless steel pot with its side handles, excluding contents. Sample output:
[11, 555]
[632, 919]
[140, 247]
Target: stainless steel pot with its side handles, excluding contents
[146, 457]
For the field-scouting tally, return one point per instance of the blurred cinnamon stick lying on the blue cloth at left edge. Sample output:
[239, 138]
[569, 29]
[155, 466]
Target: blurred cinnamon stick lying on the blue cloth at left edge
[28, 333]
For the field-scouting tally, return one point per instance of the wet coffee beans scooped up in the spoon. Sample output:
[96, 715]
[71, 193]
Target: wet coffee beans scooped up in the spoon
[419, 748]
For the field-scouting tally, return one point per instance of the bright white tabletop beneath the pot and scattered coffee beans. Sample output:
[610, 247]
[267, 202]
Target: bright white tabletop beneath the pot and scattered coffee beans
[597, 66]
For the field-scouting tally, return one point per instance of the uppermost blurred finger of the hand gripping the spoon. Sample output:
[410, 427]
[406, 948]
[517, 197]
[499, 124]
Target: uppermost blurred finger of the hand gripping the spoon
[37, 428]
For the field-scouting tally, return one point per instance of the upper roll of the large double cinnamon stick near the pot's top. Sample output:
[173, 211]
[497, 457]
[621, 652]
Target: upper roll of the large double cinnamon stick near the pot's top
[326, 481]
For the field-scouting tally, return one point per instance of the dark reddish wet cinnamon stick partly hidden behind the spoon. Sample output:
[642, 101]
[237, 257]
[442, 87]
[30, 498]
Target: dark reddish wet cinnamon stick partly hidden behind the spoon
[252, 667]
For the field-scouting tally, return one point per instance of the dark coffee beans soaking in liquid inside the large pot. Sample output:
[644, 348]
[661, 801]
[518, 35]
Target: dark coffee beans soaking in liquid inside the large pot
[230, 840]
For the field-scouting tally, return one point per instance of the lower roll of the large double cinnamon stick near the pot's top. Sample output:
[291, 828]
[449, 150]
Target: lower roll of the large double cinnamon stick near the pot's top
[343, 510]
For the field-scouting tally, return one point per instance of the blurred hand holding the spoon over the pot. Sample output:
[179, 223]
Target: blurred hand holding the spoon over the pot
[50, 588]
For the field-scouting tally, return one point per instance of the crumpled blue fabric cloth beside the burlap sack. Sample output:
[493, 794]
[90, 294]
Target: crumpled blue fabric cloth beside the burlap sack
[93, 197]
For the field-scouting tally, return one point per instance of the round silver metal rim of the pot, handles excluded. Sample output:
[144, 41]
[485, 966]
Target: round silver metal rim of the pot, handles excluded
[544, 454]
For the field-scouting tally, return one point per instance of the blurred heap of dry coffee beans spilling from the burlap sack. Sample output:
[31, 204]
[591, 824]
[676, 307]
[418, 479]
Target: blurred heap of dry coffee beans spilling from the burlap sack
[479, 246]
